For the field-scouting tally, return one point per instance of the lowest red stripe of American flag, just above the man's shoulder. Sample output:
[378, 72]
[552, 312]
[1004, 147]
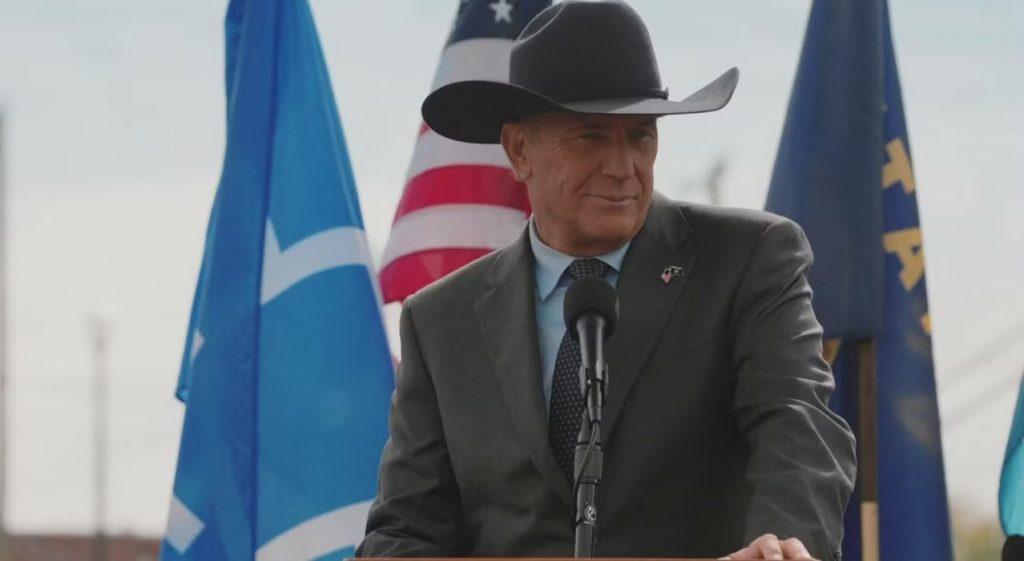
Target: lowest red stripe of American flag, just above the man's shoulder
[407, 275]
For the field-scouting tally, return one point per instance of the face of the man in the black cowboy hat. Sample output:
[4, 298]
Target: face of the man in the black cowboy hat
[590, 178]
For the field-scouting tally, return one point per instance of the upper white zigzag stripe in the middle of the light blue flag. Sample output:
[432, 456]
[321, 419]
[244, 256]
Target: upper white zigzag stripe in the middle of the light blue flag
[321, 252]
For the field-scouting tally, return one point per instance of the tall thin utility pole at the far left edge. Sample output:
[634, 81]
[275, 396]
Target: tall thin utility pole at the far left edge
[4, 348]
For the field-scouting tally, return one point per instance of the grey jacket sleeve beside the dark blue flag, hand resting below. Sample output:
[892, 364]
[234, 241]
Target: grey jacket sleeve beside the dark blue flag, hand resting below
[802, 464]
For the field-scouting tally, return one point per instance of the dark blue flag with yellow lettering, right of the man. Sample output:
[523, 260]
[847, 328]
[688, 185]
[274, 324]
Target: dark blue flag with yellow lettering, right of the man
[844, 172]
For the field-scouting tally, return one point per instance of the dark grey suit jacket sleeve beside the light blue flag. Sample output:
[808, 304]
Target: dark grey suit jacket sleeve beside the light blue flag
[418, 510]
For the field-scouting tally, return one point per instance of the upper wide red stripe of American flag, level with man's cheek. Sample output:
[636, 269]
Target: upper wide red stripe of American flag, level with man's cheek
[464, 186]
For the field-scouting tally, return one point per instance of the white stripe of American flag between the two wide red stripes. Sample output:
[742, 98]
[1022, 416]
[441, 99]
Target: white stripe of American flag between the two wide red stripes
[452, 227]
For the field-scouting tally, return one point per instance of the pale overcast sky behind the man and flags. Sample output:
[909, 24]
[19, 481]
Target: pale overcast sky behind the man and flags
[115, 136]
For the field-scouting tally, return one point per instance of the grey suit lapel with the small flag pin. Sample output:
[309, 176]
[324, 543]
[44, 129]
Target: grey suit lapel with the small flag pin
[646, 299]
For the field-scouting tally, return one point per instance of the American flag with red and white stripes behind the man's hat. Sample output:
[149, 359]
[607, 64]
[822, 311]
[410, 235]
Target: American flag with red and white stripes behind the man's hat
[461, 200]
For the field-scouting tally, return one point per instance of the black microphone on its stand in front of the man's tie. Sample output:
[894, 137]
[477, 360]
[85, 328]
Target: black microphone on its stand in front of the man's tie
[591, 313]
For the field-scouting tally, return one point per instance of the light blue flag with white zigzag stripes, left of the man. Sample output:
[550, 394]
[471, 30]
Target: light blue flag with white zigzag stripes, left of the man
[287, 374]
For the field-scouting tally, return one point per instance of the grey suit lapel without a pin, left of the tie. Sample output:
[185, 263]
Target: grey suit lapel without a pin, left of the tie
[508, 321]
